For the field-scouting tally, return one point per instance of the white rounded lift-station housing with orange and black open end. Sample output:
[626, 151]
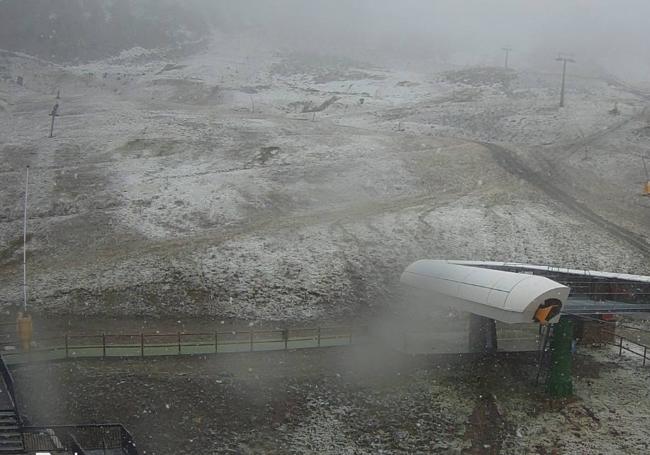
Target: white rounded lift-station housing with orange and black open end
[512, 298]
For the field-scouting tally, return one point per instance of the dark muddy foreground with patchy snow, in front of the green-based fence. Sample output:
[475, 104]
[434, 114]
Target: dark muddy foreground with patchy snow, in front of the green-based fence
[359, 400]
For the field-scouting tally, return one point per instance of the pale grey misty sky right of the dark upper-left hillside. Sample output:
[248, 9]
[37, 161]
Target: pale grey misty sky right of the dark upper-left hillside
[608, 32]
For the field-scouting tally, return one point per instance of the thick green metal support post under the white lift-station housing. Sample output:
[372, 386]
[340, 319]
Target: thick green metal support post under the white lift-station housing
[560, 383]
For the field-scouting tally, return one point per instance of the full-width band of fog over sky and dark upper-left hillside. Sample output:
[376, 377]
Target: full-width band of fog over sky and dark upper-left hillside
[608, 34]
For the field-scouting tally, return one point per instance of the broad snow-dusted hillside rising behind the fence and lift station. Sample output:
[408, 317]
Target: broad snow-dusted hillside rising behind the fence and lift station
[205, 184]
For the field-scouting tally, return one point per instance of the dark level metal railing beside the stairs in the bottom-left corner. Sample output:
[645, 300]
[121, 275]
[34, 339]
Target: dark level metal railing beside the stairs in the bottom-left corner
[79, 439]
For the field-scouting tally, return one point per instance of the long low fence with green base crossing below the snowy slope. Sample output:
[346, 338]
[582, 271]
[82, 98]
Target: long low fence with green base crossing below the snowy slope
[71, 346]
